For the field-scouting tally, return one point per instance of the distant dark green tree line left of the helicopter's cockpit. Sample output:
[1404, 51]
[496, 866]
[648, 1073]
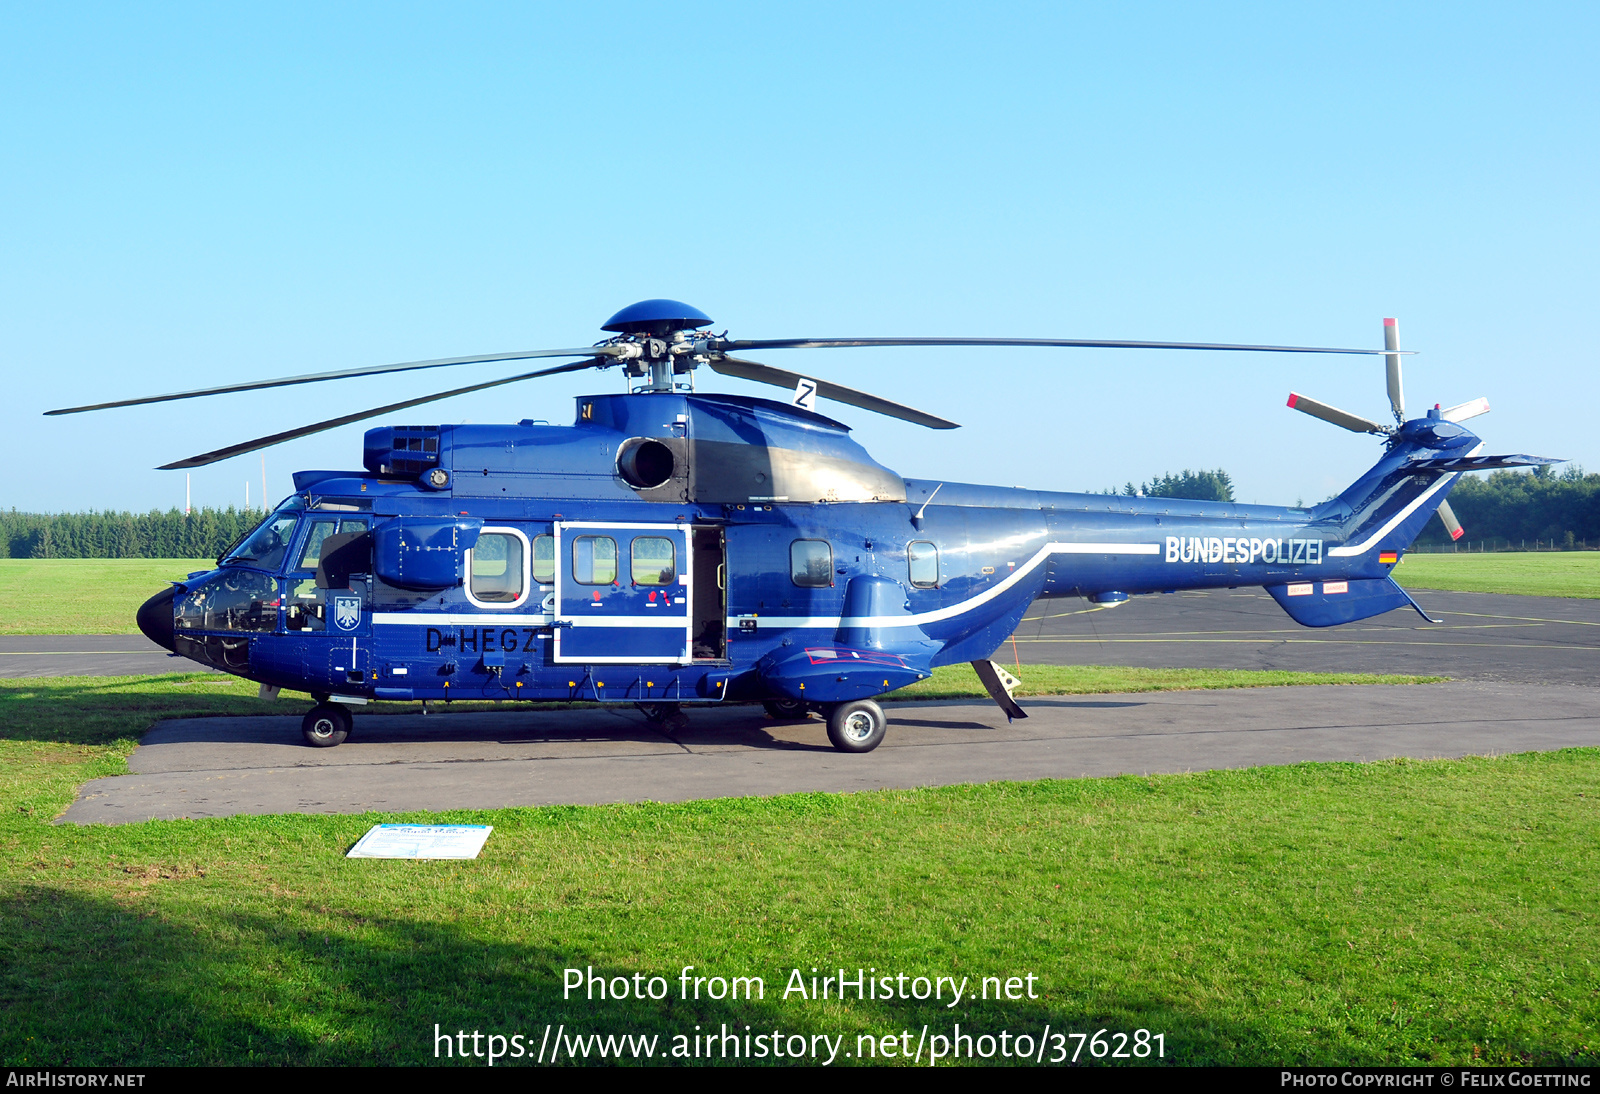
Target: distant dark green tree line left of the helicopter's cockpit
[202, 533]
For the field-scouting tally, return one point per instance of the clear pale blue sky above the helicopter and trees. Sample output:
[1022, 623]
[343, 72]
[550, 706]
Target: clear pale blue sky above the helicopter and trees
[212, 193]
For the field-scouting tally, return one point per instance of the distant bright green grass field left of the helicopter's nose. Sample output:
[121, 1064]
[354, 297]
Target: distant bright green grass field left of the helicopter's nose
[84, 596]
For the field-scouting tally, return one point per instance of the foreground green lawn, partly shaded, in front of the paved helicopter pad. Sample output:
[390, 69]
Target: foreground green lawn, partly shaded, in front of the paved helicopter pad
[1319, 914]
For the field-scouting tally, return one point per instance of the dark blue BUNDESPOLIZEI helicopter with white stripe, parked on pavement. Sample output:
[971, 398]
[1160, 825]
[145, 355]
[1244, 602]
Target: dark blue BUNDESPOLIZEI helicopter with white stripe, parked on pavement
[676, 548]
